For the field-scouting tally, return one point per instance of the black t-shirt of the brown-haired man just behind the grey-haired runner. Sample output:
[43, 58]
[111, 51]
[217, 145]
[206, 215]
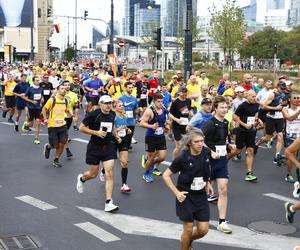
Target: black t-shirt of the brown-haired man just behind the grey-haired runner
[216, 132]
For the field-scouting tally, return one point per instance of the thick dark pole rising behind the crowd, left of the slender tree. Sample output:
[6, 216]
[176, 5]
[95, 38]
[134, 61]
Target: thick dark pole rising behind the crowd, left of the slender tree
[188, 40]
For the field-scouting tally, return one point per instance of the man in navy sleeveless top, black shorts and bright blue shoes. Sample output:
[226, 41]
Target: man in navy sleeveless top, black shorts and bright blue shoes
[155, 121]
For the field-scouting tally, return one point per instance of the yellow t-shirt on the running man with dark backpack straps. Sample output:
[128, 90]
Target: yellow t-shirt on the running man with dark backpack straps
[57, 114]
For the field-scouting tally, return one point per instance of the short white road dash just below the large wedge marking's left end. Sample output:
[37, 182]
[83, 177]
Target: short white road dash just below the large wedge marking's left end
[98, 232]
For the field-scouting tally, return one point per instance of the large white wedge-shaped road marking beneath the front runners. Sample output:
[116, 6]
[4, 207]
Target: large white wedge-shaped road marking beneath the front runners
[241, 237]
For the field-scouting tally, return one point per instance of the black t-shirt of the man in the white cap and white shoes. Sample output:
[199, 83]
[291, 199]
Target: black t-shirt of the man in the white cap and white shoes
[96, 120]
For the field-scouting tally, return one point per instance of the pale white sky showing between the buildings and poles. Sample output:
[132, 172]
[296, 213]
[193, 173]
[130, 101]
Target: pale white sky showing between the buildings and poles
[101, 9]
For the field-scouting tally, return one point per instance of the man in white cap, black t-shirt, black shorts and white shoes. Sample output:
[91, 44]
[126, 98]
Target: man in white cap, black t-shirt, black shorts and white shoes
[100, 125]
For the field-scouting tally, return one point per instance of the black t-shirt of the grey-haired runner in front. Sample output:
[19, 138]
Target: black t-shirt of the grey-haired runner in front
[191, 167]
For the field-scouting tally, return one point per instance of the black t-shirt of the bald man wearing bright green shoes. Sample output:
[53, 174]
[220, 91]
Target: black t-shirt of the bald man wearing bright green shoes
[246, 112]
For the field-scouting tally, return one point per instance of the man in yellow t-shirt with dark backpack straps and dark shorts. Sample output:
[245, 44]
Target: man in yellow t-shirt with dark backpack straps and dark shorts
[55, 110]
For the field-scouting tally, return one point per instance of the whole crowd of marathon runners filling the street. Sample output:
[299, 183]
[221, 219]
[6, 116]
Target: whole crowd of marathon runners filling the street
[209, 123]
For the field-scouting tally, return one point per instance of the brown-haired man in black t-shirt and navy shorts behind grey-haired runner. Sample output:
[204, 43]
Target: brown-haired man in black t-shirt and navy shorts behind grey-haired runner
[216, 134]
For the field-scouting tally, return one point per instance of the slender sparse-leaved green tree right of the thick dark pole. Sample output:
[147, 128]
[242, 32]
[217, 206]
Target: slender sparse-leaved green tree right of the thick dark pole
[228, 28]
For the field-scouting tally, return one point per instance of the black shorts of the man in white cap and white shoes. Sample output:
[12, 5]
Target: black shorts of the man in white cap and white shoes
[96, 153]
